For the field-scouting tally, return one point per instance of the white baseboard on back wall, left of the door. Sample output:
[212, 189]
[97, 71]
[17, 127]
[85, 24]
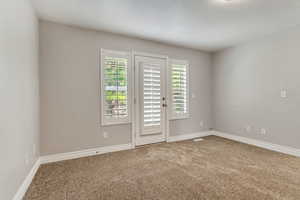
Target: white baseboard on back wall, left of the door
[84, 153]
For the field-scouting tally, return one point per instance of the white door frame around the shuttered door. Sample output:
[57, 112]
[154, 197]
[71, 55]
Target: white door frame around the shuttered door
[133, 97]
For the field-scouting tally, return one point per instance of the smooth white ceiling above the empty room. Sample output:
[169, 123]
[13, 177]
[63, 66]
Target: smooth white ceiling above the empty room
[201, 24]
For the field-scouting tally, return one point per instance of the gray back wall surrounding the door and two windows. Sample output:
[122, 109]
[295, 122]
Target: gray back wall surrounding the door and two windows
[70, 88]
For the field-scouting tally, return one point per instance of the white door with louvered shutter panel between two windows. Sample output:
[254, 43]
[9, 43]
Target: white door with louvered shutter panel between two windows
[150, 99]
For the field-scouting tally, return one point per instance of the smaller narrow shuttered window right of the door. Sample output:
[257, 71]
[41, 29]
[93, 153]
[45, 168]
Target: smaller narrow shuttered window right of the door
[179, 91]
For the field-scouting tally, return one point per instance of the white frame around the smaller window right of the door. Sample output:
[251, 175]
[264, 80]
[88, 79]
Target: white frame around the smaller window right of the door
[174, 116]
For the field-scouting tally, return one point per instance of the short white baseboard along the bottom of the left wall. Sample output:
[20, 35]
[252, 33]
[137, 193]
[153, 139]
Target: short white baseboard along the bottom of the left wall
[26, 183]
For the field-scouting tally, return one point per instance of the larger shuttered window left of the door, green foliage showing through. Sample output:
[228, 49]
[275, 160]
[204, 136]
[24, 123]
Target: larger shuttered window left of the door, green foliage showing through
[115, 87]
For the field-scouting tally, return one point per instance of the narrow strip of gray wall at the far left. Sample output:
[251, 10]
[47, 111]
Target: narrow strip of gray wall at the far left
[19, 94]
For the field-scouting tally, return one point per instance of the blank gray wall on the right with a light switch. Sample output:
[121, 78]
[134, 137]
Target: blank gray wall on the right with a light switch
[247, 84]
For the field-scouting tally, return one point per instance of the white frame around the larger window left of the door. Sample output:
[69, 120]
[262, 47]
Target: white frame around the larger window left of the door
[119, 54]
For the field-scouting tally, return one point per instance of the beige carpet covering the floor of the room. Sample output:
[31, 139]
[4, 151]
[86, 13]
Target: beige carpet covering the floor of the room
[212, 169]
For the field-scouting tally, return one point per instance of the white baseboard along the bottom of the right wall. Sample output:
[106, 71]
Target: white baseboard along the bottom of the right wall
[262, 144]
